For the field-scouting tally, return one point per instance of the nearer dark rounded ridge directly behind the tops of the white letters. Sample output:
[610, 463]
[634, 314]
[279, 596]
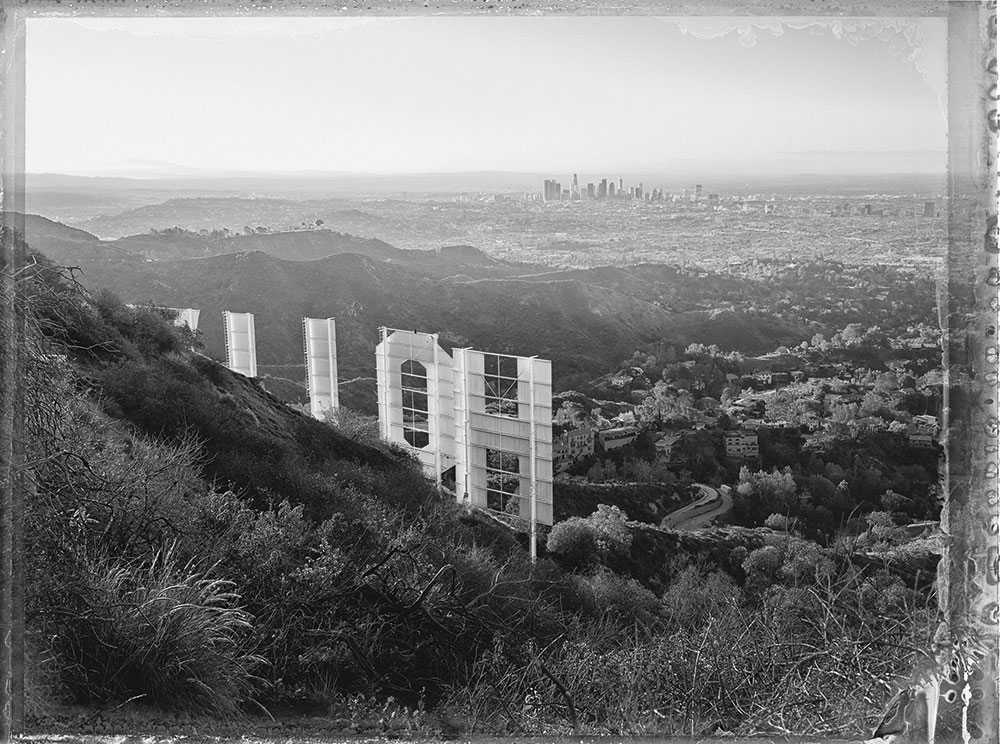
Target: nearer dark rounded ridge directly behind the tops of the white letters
[583, 328]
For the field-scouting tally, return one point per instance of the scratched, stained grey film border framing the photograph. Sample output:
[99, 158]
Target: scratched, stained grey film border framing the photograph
[969, 573]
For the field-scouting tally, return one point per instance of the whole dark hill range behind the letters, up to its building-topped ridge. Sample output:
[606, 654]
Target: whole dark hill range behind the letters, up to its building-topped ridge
[585, 322]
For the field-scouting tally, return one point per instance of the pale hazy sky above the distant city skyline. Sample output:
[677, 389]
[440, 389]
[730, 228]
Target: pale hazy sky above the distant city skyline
[539, 94]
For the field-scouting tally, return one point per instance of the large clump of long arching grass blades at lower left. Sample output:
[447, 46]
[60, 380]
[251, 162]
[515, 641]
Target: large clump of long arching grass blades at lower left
[167, 634]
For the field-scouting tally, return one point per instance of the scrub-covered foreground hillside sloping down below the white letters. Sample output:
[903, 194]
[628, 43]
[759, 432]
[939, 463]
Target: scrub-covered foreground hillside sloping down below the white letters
[199, 546]
